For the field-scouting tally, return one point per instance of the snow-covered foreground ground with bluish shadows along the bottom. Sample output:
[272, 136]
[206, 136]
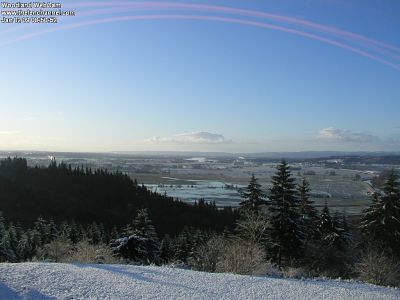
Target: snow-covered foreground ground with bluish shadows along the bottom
[68, 281]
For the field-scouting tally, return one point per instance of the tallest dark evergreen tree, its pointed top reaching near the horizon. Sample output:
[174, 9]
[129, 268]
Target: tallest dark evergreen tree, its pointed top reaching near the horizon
[285, 233]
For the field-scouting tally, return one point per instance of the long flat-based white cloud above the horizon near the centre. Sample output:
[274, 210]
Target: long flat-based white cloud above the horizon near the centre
[199, 137]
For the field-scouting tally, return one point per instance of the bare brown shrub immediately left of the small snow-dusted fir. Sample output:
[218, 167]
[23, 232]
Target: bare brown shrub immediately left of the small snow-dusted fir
[86, 253]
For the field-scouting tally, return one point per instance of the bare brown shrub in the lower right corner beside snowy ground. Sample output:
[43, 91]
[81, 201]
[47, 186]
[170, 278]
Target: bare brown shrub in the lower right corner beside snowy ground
[377, 268]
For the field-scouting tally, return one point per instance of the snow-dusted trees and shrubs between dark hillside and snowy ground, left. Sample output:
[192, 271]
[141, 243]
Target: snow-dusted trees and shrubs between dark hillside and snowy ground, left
[72, 242]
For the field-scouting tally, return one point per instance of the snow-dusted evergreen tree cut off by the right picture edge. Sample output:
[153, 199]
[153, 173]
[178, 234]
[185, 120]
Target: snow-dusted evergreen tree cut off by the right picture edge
[381, 221]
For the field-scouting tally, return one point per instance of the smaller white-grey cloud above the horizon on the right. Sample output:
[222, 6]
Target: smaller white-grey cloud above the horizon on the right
[334, 134]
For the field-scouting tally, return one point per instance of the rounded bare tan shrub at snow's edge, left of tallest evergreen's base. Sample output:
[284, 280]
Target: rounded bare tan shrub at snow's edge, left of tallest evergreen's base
[242, 258]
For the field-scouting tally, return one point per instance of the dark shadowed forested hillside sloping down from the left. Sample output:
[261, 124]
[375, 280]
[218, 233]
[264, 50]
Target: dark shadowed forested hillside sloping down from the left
[80, 195]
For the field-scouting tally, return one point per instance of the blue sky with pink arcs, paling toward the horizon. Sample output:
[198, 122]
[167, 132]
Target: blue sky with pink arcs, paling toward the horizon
[232, 76]
